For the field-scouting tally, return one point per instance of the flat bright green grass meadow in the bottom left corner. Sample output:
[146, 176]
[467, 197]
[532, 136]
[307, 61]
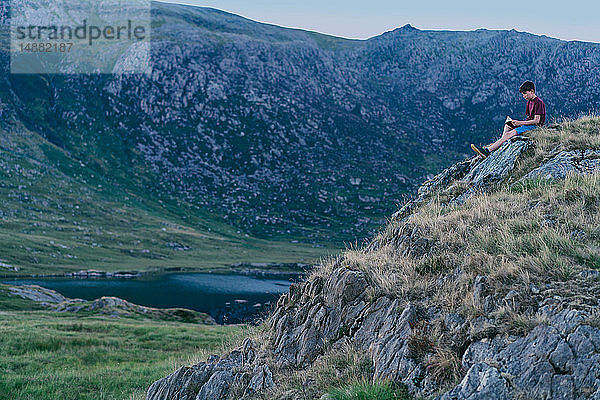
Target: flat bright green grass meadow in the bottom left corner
[45, 355]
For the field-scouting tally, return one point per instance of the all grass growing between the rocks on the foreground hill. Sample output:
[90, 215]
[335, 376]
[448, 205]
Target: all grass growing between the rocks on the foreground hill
[522, 236]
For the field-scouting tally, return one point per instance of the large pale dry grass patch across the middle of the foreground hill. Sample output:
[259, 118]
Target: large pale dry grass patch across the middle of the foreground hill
[535, 234]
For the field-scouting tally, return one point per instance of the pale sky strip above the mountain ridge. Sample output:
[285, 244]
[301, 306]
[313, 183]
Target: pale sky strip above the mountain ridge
[565, 19]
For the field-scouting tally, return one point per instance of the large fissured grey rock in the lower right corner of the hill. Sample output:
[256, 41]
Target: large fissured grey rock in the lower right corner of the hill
[548, 363]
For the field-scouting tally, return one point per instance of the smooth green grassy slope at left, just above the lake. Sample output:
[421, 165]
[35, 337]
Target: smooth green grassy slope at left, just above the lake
[57, 215]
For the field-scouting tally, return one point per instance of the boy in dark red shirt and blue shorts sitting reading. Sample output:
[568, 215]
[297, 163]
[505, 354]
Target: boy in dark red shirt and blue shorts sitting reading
[536, 116]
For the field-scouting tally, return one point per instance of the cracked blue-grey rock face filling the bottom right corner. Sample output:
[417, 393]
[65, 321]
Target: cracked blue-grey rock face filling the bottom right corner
[556, 361]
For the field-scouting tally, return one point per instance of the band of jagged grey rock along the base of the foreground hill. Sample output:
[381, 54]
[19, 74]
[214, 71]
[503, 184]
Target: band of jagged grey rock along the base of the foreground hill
[558, 359]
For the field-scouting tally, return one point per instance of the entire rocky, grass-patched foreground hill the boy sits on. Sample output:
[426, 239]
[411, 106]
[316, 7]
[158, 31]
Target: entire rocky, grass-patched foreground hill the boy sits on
[485, 286]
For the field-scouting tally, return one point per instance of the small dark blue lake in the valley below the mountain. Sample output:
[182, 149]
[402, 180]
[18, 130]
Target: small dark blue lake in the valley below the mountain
[227, 298]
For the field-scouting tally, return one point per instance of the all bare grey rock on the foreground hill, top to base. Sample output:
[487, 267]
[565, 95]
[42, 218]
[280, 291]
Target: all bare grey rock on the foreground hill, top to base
[555, 356]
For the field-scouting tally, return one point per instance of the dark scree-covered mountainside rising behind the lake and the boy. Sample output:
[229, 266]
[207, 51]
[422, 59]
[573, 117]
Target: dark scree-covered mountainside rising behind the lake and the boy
[287, 133]
